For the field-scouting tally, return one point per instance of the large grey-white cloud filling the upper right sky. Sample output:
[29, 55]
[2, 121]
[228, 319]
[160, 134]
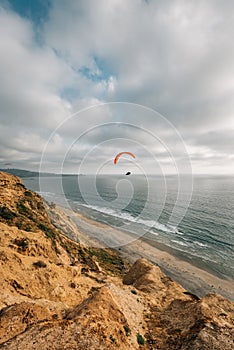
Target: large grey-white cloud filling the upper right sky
[172, 56]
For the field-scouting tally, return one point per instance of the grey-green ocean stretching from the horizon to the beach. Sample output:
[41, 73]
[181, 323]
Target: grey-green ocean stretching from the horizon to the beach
[204, 229]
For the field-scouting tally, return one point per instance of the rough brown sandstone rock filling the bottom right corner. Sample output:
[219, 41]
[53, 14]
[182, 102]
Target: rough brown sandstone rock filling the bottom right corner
[194, 325]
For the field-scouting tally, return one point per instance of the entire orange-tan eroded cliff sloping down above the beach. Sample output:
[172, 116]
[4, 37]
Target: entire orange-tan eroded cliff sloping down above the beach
[57, 294]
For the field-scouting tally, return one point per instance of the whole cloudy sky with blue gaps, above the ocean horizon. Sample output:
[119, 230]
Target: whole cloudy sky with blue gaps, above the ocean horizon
[83, 80]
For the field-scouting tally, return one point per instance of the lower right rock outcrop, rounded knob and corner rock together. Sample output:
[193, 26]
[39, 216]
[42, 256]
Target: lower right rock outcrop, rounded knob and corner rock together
[178, 319]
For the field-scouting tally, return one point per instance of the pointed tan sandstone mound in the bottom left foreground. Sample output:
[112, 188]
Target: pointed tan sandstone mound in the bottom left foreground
[97, 323]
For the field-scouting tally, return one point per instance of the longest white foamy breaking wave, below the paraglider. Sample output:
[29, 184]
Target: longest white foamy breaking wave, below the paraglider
[130, 218]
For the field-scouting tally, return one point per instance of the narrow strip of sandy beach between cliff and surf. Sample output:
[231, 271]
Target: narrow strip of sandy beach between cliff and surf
[92, 233]
